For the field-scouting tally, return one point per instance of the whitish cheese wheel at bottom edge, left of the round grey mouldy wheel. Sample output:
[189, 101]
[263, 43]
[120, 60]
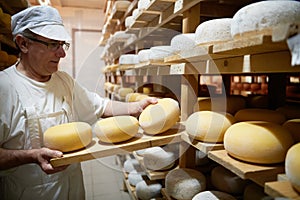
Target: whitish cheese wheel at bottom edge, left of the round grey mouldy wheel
[148, 190]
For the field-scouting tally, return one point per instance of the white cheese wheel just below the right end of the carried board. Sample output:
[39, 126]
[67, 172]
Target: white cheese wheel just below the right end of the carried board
[156, 158]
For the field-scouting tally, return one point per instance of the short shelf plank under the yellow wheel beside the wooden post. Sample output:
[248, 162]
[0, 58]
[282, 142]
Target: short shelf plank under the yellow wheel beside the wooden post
[204, 147]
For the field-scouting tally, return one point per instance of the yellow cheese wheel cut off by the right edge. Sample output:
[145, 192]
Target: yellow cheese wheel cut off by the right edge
[292, 166]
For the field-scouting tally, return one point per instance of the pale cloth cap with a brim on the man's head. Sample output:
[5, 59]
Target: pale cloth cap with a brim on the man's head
[41, 20]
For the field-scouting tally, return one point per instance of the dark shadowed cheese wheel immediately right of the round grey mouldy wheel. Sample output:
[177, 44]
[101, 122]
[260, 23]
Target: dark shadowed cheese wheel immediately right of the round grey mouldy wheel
[226, 181]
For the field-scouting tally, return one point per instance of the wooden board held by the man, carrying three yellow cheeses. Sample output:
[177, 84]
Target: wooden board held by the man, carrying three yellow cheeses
[98, 149]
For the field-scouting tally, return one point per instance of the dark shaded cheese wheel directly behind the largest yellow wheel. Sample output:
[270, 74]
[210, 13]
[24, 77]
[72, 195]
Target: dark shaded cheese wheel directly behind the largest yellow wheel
[258, 114]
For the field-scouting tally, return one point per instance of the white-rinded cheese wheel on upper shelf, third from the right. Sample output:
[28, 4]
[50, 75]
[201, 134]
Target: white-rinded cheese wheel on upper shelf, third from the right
[183, 41]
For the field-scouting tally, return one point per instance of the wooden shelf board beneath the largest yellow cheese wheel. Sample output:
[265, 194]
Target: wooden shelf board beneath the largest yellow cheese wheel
[260, 174]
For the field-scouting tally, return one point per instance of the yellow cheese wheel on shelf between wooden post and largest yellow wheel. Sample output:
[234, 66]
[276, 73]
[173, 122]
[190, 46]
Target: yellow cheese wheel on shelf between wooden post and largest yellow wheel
[208, 126]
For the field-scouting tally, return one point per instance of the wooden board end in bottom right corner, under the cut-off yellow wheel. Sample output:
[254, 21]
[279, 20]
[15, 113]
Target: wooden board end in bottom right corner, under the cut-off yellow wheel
[281, 189]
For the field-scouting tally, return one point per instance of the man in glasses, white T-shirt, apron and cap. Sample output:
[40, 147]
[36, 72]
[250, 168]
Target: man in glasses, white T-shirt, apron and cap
[34, 96]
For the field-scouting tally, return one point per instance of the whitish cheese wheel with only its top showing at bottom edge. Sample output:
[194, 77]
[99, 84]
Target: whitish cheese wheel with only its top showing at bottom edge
[213, 195]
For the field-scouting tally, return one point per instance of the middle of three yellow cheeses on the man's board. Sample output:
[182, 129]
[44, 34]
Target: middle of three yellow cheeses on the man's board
[116, 129]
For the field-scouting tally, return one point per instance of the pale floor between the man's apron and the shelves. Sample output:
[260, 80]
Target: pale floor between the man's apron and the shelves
[103, 180]
